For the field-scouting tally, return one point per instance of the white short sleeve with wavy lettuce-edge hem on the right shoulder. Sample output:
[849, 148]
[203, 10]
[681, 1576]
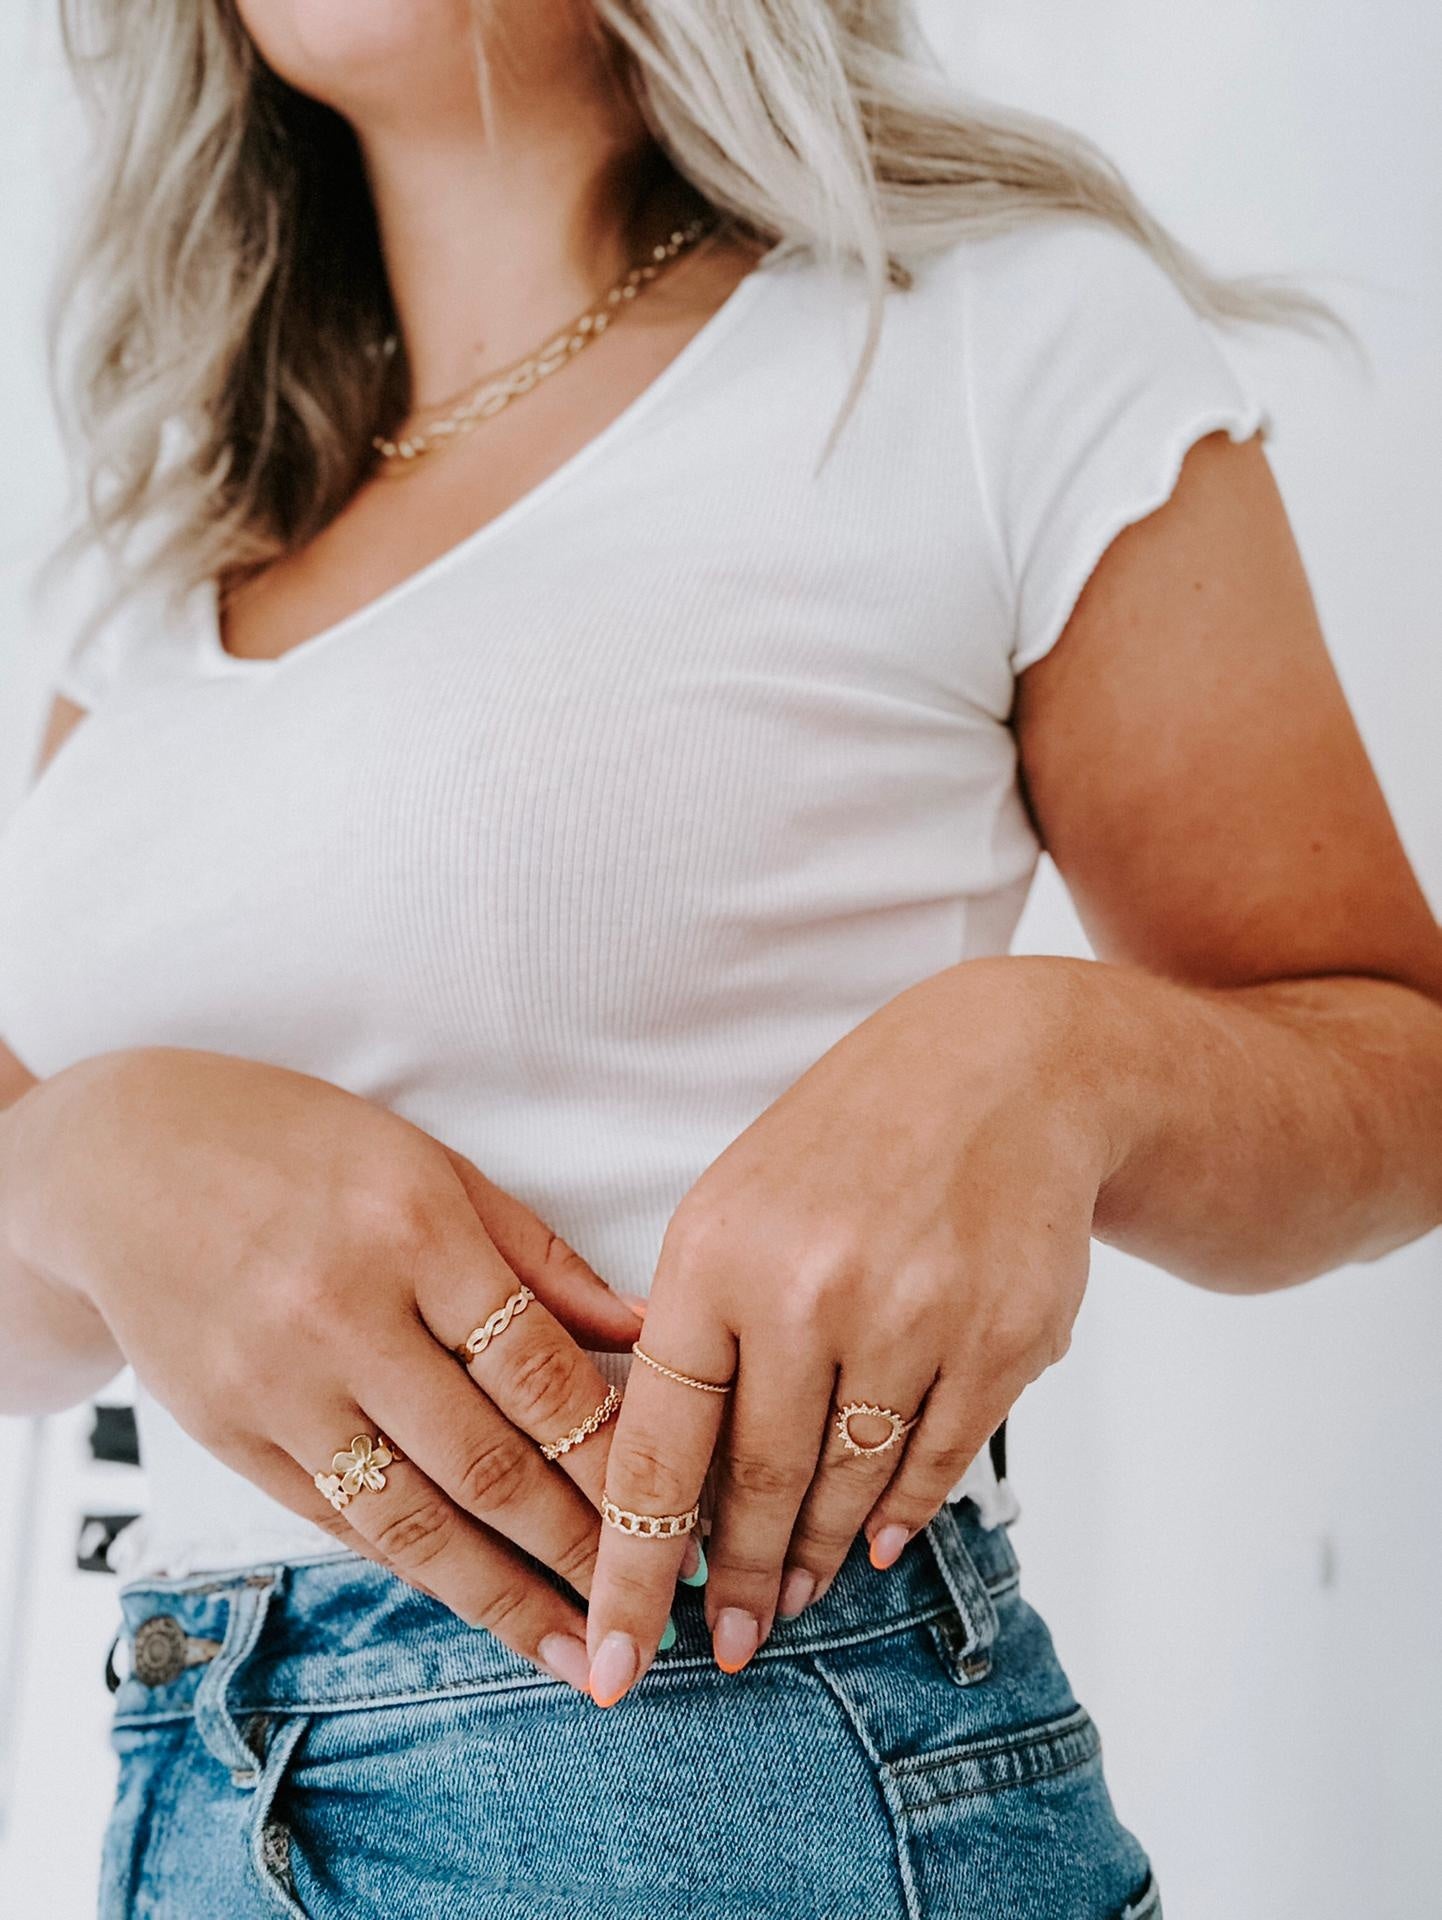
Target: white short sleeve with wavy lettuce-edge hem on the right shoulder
[1090, 377]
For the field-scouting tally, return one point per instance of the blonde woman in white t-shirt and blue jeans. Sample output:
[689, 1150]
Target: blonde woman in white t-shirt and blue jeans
[554, 805]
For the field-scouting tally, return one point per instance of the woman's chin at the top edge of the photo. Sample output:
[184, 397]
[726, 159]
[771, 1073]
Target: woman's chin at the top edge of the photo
[370, 59]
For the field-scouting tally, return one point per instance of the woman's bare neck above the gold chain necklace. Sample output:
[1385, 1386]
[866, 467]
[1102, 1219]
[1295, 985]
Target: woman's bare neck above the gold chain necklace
[496, 235]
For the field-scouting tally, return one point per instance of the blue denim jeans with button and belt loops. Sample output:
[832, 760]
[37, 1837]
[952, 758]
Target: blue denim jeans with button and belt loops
[909, 1748]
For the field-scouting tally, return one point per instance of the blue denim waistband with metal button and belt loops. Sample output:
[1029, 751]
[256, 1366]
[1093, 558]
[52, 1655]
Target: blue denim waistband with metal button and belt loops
[341, 1633]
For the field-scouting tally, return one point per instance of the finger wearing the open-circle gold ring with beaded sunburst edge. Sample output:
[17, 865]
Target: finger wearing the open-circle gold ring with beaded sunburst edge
[848, 1485]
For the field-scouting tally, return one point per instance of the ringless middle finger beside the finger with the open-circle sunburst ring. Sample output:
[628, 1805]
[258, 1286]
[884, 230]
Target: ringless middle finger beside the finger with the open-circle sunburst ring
[769, 1452]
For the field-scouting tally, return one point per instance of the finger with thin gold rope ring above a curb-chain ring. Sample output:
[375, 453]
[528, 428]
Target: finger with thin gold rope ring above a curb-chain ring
[660, 1456]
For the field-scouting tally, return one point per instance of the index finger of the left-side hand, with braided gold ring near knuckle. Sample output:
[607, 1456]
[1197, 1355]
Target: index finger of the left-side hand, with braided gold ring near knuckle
[527, 1366]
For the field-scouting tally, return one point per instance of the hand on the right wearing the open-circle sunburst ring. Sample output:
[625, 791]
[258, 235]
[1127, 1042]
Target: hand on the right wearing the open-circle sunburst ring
[909, 1226]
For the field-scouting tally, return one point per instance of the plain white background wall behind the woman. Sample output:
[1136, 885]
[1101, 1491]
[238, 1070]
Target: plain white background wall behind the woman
[1232, 1506]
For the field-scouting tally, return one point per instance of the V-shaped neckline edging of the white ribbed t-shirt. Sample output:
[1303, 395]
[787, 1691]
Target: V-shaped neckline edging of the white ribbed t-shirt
[704, 341]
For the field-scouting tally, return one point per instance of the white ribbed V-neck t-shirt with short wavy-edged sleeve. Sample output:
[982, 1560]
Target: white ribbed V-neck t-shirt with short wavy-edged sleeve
[585, 842]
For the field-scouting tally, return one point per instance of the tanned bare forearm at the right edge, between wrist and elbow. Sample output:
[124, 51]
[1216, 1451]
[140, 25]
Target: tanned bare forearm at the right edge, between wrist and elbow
[1262, 1136]
